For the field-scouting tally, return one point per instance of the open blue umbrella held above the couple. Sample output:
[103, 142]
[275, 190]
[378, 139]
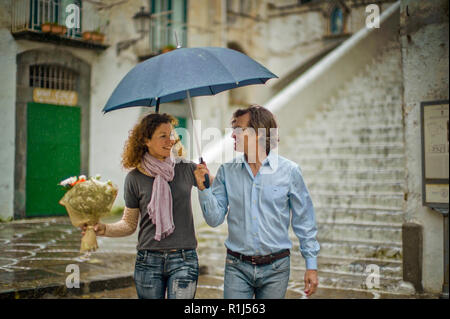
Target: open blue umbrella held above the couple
[183, 73]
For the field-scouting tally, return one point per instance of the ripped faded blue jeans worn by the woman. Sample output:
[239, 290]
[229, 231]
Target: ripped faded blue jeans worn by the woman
[177, 272]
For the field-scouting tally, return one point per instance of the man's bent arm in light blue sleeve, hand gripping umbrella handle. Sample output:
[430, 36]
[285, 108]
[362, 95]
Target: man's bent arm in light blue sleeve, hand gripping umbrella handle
[213, 200]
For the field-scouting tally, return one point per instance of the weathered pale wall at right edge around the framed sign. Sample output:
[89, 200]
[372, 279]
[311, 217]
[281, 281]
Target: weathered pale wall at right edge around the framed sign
[425, 46]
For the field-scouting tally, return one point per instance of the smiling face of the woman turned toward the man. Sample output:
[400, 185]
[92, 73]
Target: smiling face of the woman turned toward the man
[162, 141]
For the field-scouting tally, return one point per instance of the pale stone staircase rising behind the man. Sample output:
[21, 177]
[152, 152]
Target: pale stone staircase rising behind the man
[351, 153]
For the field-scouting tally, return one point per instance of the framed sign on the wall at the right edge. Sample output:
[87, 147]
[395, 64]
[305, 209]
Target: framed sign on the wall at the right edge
[435, 149]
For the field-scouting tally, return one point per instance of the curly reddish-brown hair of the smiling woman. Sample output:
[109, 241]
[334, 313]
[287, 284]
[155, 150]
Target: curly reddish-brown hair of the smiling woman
[135, 146]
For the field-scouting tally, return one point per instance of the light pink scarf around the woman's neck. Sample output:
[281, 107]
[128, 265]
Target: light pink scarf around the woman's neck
[160, 207]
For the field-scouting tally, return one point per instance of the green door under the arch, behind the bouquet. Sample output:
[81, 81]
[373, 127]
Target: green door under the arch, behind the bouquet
[53, 154]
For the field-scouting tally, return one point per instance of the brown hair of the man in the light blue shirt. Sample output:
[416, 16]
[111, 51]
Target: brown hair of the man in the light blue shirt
[260, 117]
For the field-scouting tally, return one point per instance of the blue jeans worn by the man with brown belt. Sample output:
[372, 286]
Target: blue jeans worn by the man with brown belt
[244, 280]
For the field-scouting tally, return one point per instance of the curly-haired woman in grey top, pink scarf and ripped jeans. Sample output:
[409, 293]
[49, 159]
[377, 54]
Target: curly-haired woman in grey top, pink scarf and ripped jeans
[157, 192]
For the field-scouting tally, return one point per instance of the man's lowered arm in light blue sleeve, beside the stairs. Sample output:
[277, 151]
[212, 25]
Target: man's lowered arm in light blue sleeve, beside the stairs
[303, 219]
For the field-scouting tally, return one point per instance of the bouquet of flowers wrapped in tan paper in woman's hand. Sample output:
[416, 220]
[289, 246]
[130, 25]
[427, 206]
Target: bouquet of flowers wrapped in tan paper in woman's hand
[86, 201]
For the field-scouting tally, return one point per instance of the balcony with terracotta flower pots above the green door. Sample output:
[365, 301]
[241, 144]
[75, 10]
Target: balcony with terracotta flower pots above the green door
[53, 21]
